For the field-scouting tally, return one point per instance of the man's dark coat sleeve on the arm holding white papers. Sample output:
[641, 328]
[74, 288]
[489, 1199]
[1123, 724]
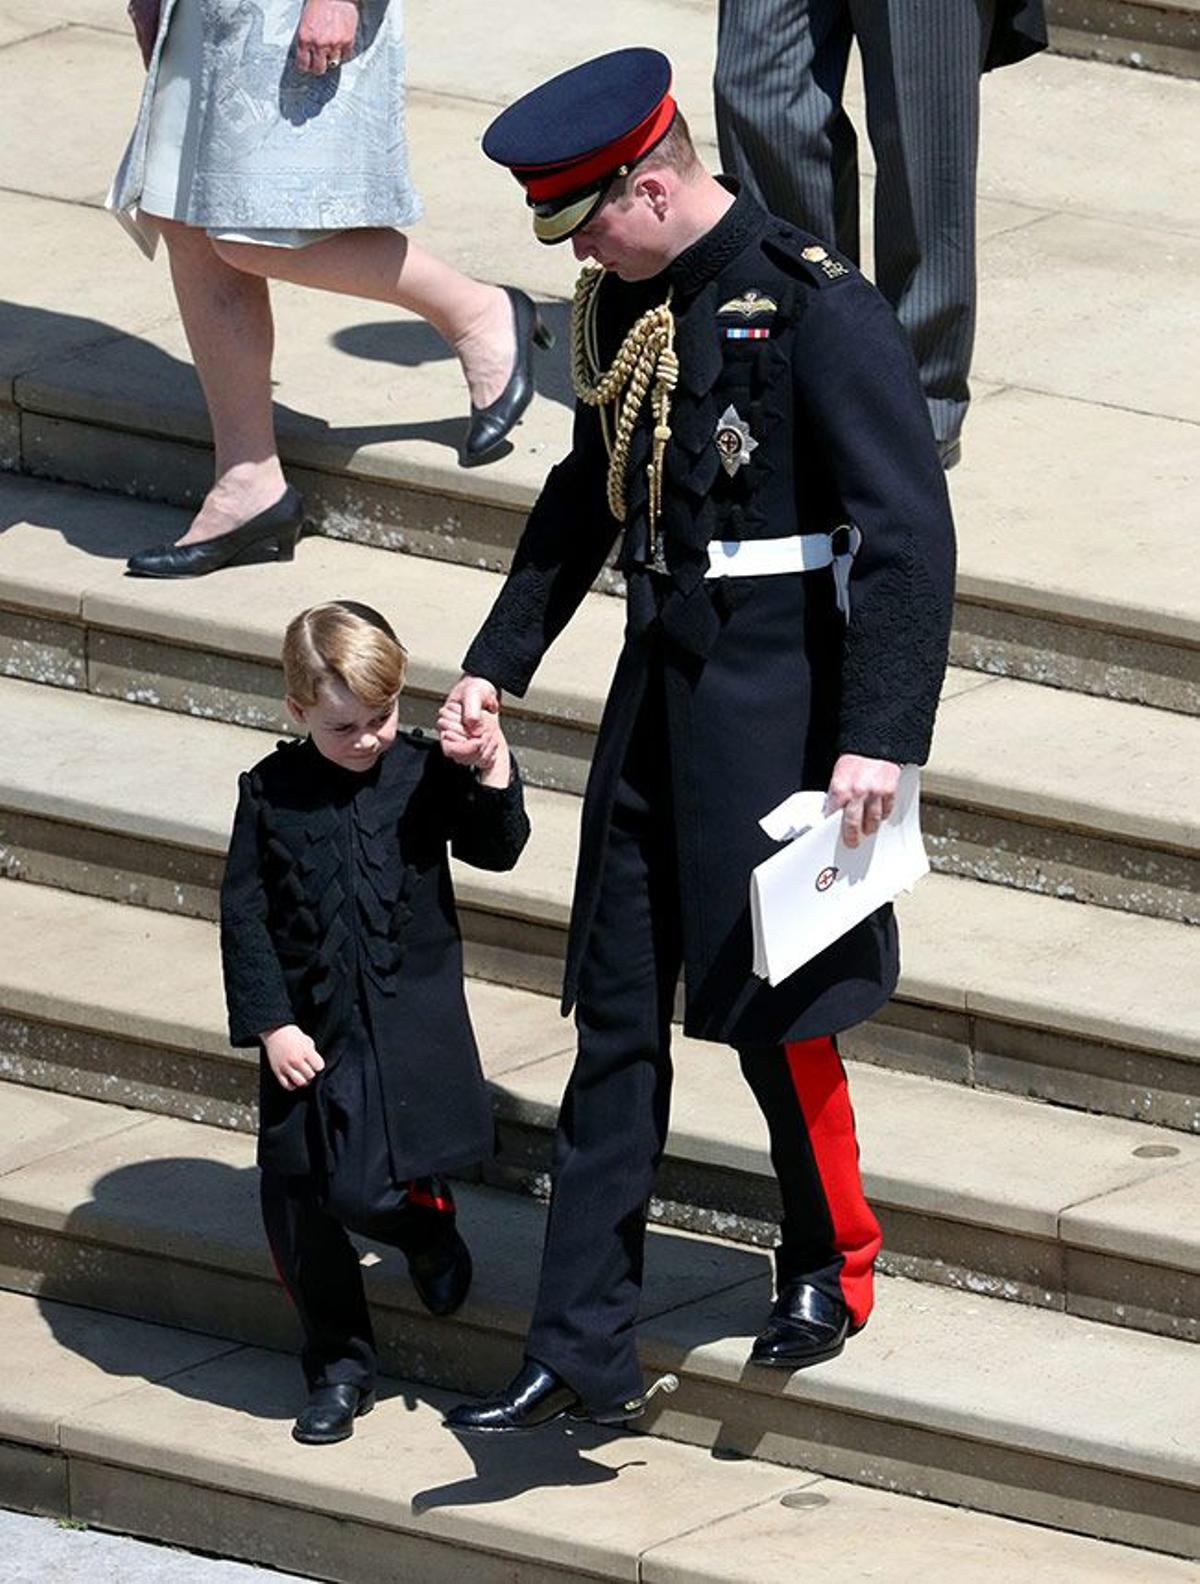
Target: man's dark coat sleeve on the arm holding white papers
[867, 406]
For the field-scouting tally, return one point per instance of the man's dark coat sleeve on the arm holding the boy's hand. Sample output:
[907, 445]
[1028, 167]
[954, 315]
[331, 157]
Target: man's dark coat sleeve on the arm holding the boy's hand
[561, 552]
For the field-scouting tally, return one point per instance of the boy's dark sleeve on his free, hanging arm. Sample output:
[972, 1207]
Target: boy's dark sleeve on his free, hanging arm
[256, 994]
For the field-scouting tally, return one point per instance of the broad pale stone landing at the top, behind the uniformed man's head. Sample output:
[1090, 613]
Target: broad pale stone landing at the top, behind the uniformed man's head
[1073, 501]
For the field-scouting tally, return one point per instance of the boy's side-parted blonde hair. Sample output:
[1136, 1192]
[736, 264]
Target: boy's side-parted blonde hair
[347, 642]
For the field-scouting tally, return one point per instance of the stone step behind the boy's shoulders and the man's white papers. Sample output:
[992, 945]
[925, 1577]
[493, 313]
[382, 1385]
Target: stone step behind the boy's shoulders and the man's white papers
[1082, 1005]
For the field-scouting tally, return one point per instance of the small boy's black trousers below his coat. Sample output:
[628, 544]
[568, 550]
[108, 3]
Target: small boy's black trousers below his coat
[321, 1266]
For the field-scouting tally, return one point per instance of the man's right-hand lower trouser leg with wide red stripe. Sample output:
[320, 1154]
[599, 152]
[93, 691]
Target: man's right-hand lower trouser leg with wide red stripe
[829, 1233]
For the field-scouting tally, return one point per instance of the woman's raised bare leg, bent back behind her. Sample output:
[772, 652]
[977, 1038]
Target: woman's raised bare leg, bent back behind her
[382, 265]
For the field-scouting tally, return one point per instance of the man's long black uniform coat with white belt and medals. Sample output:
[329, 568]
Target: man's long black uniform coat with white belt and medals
[764, 682]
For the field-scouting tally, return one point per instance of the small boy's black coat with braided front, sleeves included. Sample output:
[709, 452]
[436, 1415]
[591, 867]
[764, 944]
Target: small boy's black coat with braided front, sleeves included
[338, 915]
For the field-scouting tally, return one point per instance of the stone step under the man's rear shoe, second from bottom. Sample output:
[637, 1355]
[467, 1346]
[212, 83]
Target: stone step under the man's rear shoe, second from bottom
[1014, 1411]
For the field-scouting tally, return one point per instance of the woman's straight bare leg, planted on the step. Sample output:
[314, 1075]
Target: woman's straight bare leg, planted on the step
[227, 319]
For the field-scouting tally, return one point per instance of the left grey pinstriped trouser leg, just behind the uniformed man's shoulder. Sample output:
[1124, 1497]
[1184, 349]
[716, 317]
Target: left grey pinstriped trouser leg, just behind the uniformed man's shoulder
[781, 126]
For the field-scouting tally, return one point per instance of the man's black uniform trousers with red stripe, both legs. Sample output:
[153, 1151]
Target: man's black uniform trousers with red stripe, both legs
[613, 1122]
